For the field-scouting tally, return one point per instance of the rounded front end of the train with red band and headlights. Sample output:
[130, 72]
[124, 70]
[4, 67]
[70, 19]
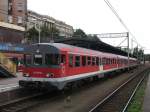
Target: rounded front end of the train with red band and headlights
[43, 67]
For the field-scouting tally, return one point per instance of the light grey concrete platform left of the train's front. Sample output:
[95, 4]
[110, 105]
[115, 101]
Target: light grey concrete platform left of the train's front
[7, 84]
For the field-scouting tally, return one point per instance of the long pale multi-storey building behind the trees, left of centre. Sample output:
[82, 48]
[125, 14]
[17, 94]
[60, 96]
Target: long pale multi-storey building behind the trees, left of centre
[34, 18]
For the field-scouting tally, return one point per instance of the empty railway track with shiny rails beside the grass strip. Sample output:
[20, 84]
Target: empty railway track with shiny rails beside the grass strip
[120, 98]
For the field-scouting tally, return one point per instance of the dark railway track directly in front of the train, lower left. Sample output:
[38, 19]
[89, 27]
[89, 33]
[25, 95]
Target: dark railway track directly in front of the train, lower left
[23, 103]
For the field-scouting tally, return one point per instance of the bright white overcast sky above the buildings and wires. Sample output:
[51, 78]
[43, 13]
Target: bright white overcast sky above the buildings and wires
[95, 17]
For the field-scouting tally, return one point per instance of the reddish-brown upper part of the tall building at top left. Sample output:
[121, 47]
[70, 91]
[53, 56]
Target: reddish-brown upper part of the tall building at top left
[13, 11]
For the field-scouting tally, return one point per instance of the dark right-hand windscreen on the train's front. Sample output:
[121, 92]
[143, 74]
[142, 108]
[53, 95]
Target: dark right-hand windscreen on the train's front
[52, 59]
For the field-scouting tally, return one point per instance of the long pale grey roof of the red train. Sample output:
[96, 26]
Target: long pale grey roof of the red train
[57, 47]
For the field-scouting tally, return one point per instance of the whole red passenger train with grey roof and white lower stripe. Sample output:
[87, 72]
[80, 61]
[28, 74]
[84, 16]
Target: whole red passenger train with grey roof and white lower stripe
[56, 64]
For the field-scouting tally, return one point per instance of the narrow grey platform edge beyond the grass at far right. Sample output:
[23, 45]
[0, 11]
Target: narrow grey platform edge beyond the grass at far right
[146, 103]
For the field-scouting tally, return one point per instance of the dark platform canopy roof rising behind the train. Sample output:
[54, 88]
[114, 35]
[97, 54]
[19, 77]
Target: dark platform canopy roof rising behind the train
[92, 43]
